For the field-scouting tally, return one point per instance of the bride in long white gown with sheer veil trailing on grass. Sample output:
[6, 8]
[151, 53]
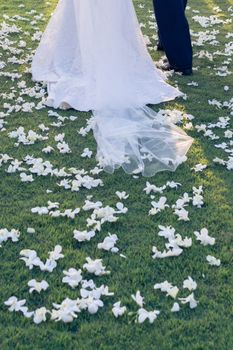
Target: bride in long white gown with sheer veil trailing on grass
[93, 57]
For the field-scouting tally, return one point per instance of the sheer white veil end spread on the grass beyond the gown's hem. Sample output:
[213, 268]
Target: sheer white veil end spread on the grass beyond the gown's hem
[139, 140]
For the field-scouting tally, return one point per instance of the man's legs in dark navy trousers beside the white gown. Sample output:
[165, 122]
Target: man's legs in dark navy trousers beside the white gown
[174, 35]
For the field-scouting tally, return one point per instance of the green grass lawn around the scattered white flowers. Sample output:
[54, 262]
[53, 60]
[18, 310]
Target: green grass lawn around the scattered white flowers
[210, 325]
